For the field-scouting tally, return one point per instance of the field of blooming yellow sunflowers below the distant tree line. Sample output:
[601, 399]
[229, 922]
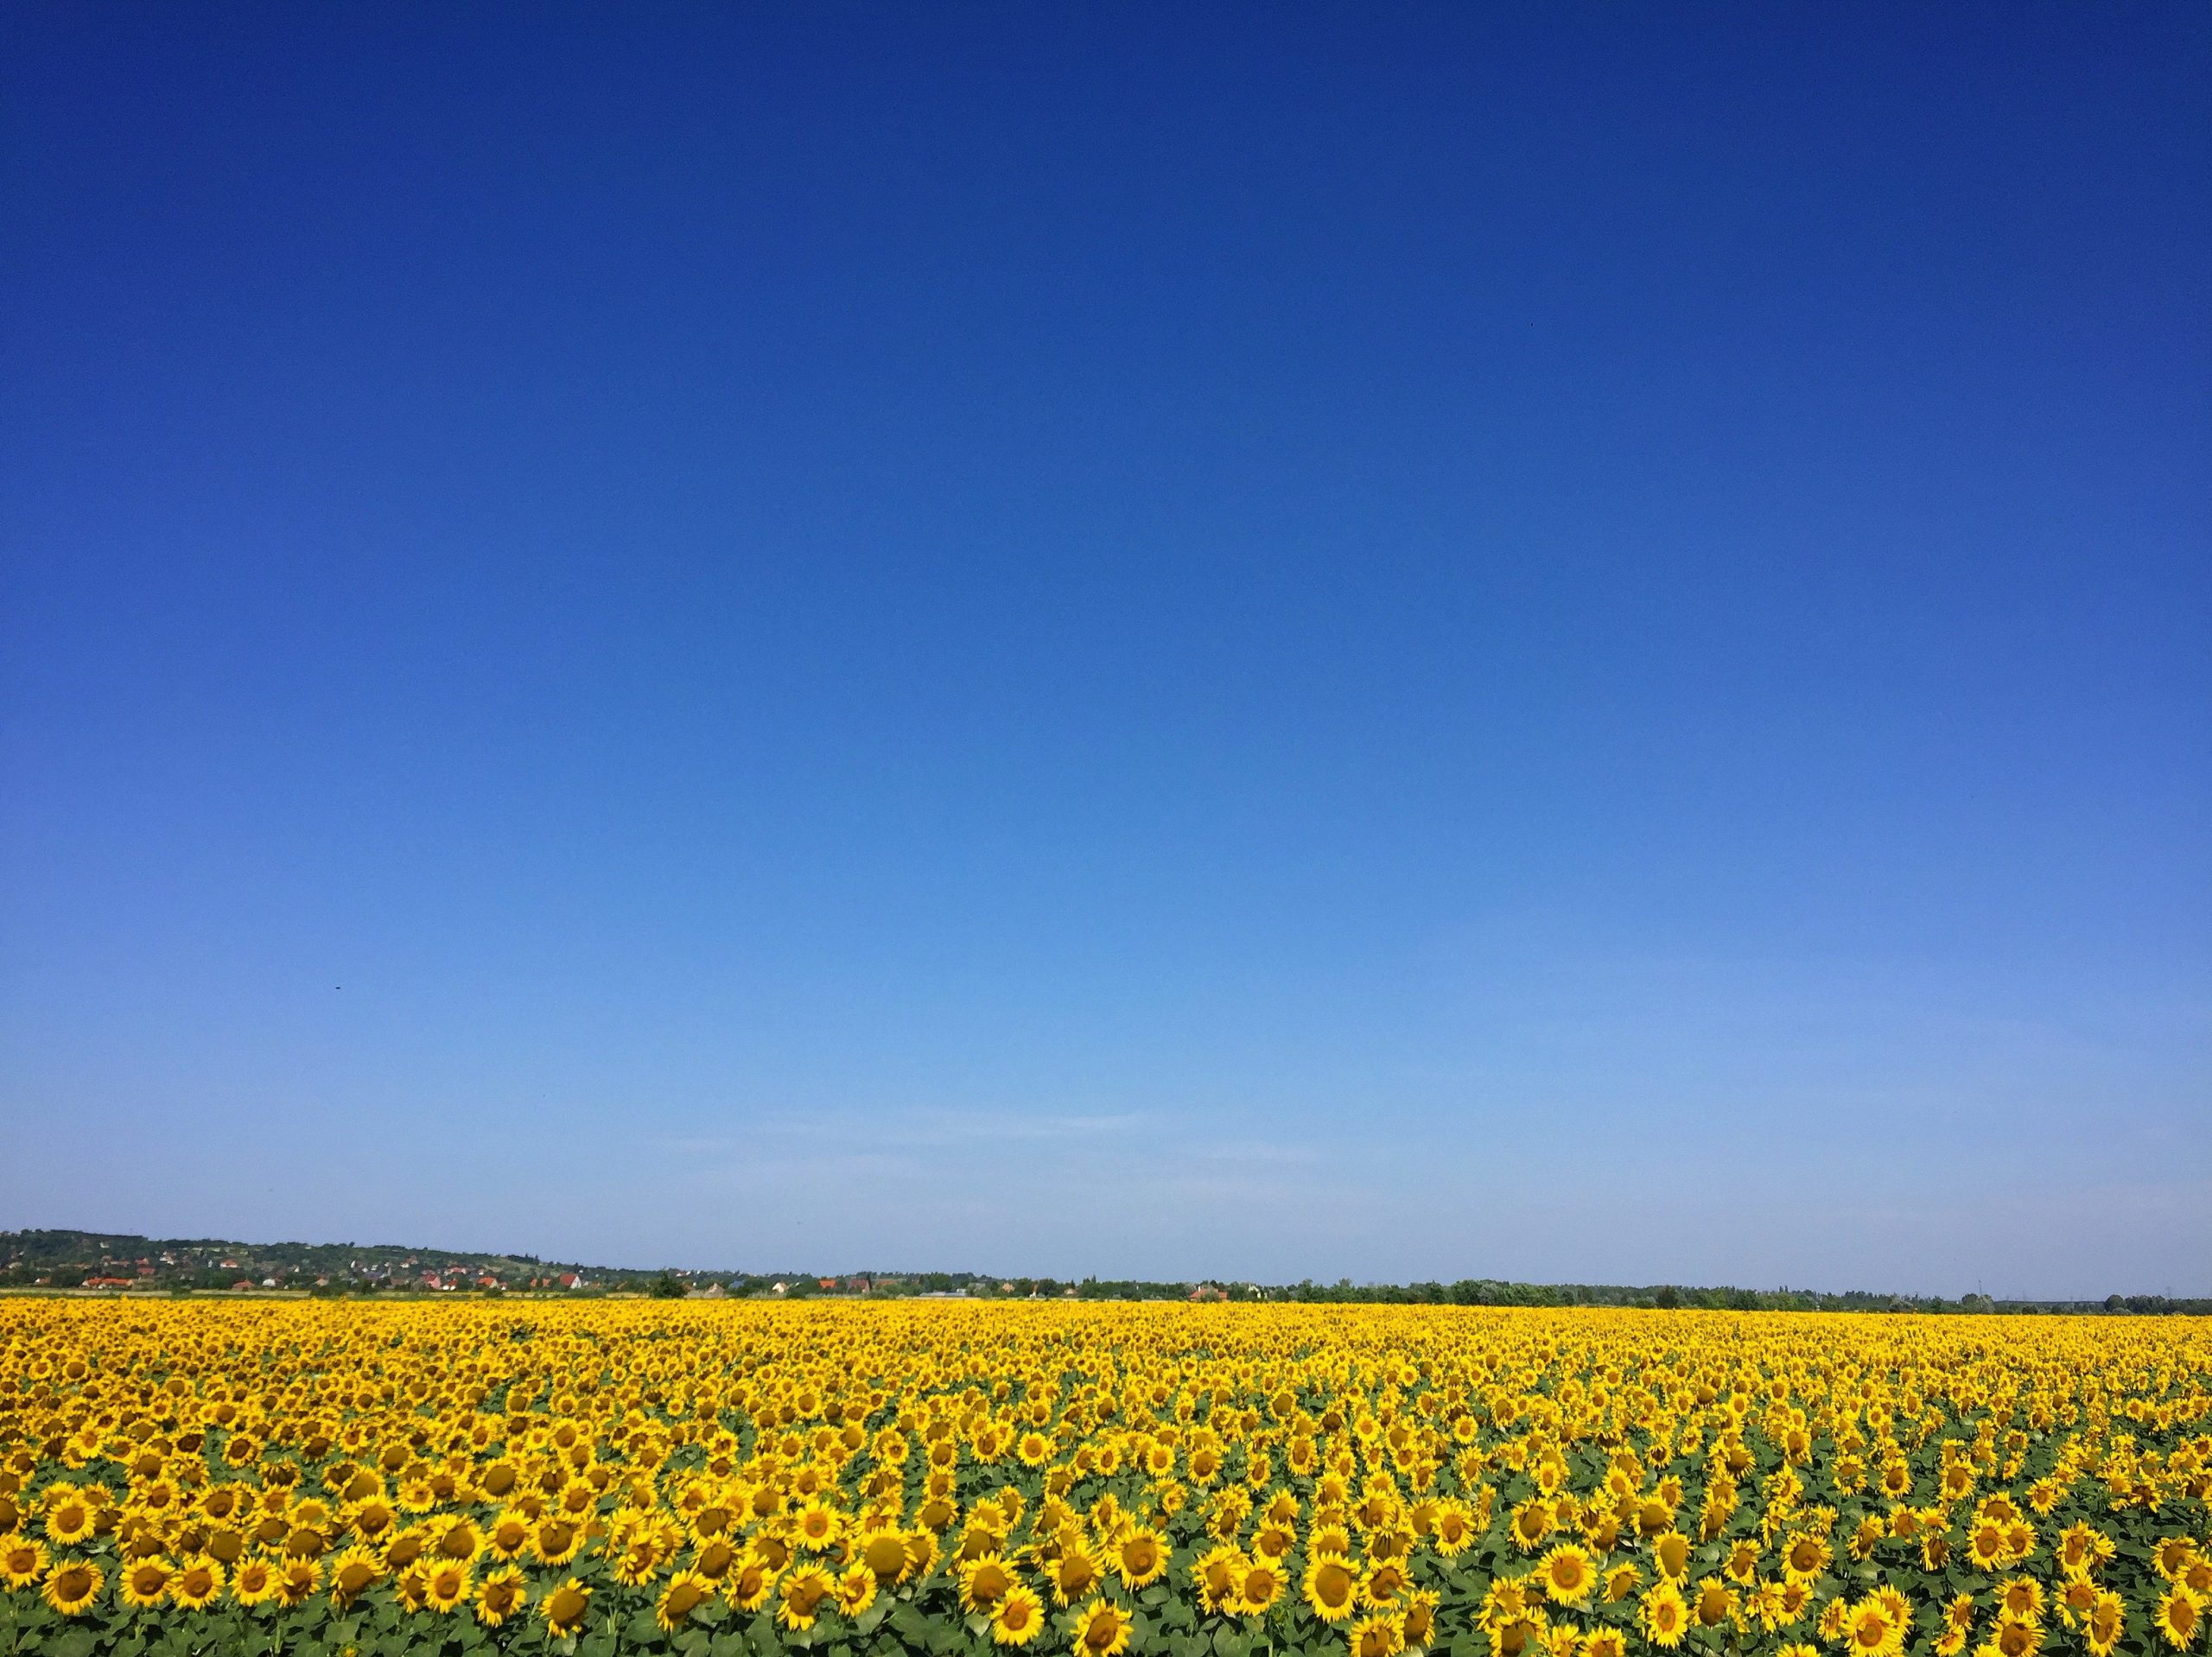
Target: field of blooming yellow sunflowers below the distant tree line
[1207, 1481]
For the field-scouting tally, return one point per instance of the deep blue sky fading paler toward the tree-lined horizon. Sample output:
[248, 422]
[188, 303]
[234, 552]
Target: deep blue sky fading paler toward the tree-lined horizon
[1142, 640]
